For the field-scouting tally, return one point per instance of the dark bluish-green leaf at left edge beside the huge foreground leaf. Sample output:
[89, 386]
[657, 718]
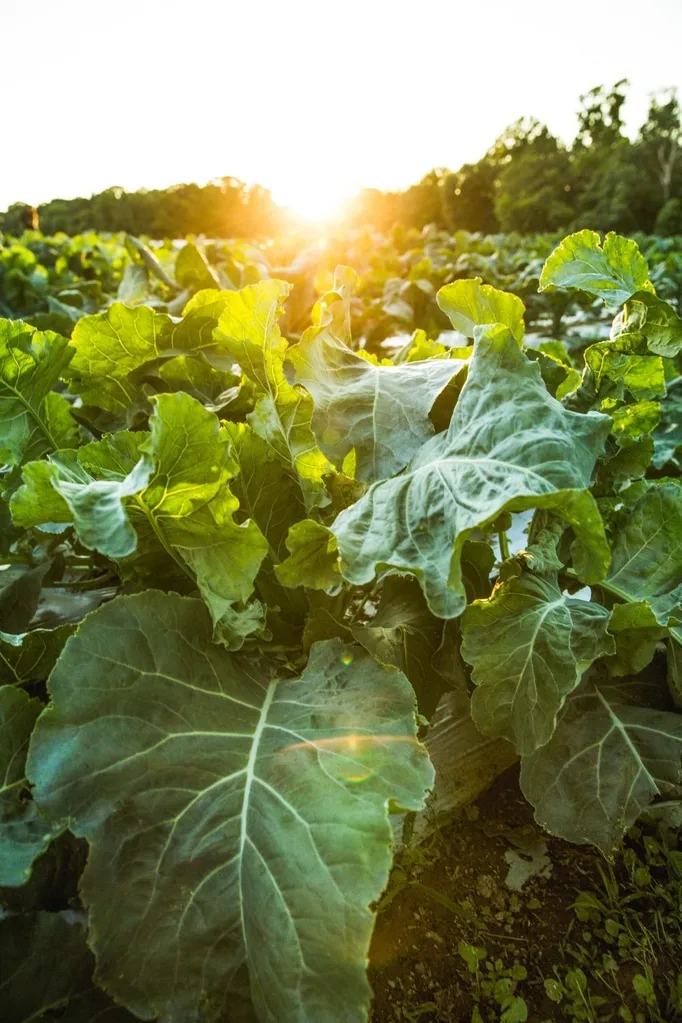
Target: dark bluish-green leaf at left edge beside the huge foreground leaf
[24, 833]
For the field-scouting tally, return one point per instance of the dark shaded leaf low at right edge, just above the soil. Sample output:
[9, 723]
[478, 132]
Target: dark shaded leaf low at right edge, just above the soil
[607, 762]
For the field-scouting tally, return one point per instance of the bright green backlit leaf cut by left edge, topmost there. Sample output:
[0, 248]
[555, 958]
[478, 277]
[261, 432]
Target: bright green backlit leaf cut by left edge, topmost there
[34, 419]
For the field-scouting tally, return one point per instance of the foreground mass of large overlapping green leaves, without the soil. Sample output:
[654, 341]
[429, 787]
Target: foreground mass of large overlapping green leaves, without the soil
[238, 562]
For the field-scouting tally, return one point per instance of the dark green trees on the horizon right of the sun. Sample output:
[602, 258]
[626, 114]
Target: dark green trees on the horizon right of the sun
[529, 182]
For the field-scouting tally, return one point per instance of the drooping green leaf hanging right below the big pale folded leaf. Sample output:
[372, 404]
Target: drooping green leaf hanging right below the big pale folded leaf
[529, 646]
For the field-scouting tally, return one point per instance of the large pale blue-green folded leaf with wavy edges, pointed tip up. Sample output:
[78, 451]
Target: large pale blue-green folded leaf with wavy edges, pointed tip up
[510, 447]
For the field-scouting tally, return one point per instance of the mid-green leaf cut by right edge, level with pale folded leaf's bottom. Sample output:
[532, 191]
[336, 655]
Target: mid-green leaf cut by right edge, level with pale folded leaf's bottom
[647, 562]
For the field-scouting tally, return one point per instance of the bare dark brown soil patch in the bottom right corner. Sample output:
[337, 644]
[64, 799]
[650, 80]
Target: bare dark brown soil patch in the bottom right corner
[417, 969]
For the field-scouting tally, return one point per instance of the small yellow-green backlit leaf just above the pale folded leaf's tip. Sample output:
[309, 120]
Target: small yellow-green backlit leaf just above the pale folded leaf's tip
[469, 304]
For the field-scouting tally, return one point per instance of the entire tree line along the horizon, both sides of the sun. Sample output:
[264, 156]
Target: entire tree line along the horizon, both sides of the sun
[529, 182]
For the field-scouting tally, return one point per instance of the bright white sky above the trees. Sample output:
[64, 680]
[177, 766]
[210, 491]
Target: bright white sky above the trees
[311, 99]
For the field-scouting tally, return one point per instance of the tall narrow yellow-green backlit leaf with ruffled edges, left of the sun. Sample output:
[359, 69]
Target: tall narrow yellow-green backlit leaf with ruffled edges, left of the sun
[249, 333]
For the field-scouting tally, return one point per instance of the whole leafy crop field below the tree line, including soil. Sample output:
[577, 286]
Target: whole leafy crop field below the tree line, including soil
[341, 629]
